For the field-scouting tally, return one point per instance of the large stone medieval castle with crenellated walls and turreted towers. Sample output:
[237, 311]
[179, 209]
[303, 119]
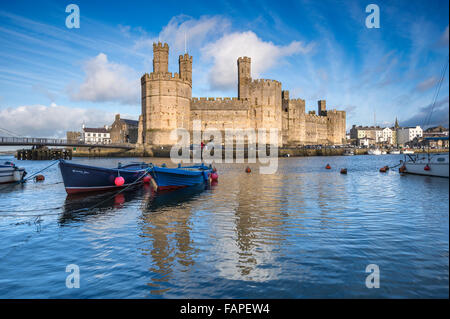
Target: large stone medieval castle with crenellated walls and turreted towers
[167, 104]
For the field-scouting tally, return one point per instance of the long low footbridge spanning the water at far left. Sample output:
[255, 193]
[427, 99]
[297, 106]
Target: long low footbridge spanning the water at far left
[39, 142]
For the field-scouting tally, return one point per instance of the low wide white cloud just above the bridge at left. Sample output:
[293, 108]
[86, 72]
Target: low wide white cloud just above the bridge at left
[51, 121]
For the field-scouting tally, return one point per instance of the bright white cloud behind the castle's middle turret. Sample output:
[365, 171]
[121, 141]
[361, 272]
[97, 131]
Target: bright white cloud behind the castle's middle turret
[225, 51]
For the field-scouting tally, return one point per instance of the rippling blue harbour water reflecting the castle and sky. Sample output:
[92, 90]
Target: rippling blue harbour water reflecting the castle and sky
[305, 232]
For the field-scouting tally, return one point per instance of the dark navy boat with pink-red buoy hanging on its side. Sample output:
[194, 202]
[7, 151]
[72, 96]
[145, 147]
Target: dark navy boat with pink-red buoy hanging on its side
[80, 178]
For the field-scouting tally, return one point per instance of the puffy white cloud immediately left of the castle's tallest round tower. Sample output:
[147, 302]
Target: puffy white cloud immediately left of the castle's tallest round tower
[107, 81]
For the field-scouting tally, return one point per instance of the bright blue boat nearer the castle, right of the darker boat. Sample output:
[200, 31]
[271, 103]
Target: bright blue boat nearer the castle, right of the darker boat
[179, 177]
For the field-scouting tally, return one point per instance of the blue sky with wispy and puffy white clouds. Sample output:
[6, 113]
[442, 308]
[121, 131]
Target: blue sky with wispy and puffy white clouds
[54, 79]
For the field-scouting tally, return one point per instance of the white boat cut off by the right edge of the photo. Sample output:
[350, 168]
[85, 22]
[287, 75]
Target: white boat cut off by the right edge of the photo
[426, 164]
